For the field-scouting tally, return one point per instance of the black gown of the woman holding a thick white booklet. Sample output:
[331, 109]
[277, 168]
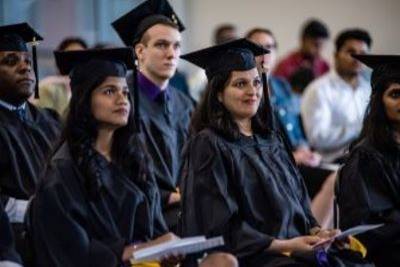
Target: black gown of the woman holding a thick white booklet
[70, 229]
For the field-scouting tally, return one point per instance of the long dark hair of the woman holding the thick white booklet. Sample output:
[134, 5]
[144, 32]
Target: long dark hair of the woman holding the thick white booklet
[81, 131]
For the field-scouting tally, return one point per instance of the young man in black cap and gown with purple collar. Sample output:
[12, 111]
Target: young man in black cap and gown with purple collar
[153, 29]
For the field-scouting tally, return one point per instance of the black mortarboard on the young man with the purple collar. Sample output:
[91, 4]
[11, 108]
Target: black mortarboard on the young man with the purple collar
[131, 26]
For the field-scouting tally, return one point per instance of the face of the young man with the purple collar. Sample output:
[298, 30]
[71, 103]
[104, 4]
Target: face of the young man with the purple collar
[158, 54]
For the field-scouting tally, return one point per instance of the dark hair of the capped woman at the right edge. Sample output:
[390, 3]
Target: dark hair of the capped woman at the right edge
[377, 129]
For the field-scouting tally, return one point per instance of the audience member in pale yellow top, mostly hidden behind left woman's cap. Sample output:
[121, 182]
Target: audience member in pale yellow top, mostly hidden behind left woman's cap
[55, 92]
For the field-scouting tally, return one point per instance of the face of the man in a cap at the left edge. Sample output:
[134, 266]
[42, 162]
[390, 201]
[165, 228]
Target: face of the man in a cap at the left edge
[17, 79]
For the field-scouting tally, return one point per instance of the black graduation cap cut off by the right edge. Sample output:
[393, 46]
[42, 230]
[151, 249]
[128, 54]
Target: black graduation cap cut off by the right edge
[385, 67]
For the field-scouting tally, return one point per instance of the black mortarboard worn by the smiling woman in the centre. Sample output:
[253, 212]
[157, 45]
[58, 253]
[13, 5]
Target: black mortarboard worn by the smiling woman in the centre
[234, 55]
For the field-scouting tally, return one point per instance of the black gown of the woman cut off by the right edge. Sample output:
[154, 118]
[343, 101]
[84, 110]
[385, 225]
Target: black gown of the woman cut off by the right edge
[369, 193]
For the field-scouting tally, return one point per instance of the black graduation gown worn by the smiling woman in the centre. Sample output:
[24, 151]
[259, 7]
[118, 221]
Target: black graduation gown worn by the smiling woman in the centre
[247, 190]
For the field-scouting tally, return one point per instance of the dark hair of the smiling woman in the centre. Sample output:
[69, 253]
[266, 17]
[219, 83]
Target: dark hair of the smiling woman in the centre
[211, 113]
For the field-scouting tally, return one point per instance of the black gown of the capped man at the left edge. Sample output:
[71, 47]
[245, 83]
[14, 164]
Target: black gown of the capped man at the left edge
[24, 147]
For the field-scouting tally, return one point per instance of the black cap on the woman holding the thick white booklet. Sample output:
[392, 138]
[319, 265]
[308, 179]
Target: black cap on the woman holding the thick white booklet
[82, 64]
